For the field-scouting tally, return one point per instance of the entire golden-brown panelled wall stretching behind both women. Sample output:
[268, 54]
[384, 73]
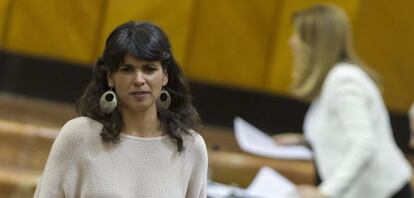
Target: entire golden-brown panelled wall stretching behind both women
[237, 43]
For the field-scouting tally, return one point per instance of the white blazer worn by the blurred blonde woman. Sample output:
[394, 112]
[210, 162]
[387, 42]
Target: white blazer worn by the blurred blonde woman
[348, 127]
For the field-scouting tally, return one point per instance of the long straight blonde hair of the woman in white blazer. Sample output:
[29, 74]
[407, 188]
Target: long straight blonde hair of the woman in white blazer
[325, 32]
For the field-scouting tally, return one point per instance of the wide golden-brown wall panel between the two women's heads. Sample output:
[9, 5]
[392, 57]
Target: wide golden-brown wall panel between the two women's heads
[230, 44]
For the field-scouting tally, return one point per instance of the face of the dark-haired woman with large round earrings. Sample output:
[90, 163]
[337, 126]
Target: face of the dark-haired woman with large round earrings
[138, 83]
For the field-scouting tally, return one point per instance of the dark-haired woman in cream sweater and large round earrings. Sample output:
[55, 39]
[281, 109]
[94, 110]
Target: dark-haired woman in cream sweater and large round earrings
[134, 137]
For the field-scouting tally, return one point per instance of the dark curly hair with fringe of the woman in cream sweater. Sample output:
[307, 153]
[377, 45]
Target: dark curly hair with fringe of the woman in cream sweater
[148, 42]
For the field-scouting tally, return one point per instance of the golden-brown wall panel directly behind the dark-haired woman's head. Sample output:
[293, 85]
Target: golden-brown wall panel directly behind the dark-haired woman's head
[173, 16]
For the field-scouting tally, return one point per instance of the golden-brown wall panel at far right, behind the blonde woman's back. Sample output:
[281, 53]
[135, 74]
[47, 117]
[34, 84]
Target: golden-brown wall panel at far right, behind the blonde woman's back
[384, 38]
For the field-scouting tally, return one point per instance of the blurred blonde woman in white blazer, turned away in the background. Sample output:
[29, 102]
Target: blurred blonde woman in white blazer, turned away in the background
[347, 124]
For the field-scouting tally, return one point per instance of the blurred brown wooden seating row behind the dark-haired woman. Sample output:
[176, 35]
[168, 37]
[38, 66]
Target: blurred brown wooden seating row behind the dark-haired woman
[29, 126]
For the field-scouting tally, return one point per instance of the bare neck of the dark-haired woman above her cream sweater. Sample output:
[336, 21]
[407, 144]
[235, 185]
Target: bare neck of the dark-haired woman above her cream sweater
[142, 124]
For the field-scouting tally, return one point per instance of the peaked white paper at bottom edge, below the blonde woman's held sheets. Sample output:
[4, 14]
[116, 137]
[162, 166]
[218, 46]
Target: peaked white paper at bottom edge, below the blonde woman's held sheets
[270, 184]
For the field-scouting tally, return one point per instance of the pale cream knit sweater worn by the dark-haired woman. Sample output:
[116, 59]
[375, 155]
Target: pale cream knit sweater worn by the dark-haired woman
[80, 164]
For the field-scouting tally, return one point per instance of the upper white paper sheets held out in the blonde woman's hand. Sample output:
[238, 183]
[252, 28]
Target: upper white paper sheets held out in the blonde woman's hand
[252, 140]
